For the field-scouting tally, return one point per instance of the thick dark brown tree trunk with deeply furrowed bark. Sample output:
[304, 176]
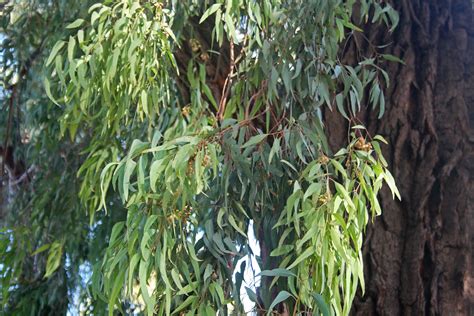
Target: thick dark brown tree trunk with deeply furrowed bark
[418, 254]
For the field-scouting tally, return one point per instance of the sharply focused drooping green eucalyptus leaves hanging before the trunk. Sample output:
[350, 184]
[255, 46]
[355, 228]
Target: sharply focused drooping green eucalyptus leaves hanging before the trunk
[195, 165]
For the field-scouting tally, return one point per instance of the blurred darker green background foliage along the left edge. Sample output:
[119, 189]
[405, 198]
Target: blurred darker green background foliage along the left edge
[39, 207]
